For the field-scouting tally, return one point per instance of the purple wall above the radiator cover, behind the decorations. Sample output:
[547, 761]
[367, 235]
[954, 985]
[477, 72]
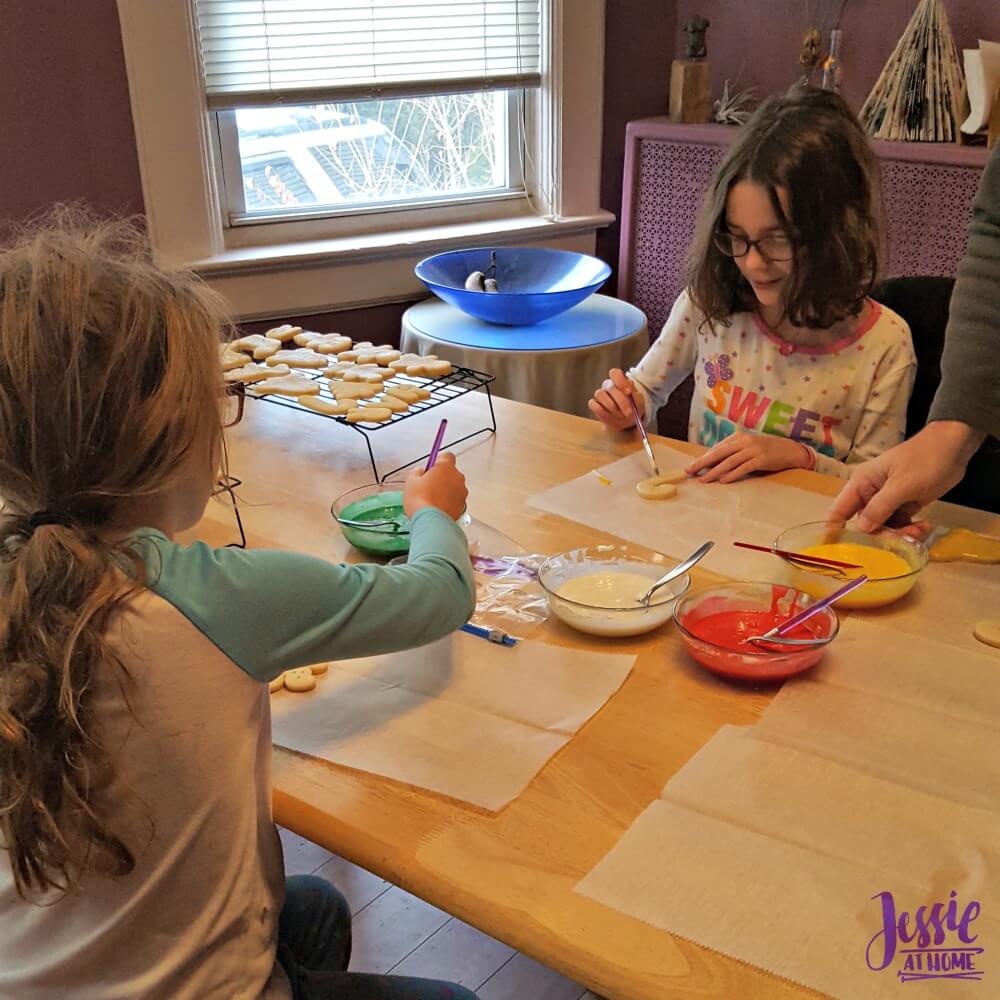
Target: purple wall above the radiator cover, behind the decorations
[757, 41]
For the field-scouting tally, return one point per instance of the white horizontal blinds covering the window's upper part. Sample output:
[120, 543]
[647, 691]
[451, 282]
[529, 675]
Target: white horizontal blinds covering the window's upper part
[264, 52]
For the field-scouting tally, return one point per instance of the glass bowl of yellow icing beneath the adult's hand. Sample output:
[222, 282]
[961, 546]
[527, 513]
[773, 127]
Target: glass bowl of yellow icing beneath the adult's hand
[892, 562]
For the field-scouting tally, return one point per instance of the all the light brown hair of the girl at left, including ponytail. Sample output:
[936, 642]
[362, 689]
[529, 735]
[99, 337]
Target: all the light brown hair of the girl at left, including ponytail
[109, 386]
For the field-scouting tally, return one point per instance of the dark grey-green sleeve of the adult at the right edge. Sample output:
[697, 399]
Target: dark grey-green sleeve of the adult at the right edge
[970, 369]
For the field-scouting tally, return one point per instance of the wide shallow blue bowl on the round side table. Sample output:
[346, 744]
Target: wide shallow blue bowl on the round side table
[535, 283]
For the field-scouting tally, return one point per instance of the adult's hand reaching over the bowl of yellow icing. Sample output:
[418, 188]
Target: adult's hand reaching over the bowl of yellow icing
[911, 475]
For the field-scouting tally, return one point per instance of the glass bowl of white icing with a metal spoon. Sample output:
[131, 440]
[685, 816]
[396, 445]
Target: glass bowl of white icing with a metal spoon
[597, 589]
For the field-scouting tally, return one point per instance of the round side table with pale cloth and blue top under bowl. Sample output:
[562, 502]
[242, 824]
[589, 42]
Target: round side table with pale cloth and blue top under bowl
[557, 363]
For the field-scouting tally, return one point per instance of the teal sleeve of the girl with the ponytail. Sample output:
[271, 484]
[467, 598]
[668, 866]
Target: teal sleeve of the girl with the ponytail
[271, 611]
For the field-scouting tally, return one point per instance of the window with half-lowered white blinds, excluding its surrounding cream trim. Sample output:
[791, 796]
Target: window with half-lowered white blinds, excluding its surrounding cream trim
[410, 101]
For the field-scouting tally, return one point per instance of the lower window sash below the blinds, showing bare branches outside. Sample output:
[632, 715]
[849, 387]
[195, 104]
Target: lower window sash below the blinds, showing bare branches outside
[289, 162]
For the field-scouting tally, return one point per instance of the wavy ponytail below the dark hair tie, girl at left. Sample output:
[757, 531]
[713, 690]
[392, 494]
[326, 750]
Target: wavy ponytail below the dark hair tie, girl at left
[62, 587]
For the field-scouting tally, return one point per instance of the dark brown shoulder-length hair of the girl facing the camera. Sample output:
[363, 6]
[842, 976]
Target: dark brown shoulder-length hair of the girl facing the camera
[809, 143]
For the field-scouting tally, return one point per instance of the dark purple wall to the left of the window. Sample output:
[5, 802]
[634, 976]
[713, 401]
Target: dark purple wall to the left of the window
[67, 122]
